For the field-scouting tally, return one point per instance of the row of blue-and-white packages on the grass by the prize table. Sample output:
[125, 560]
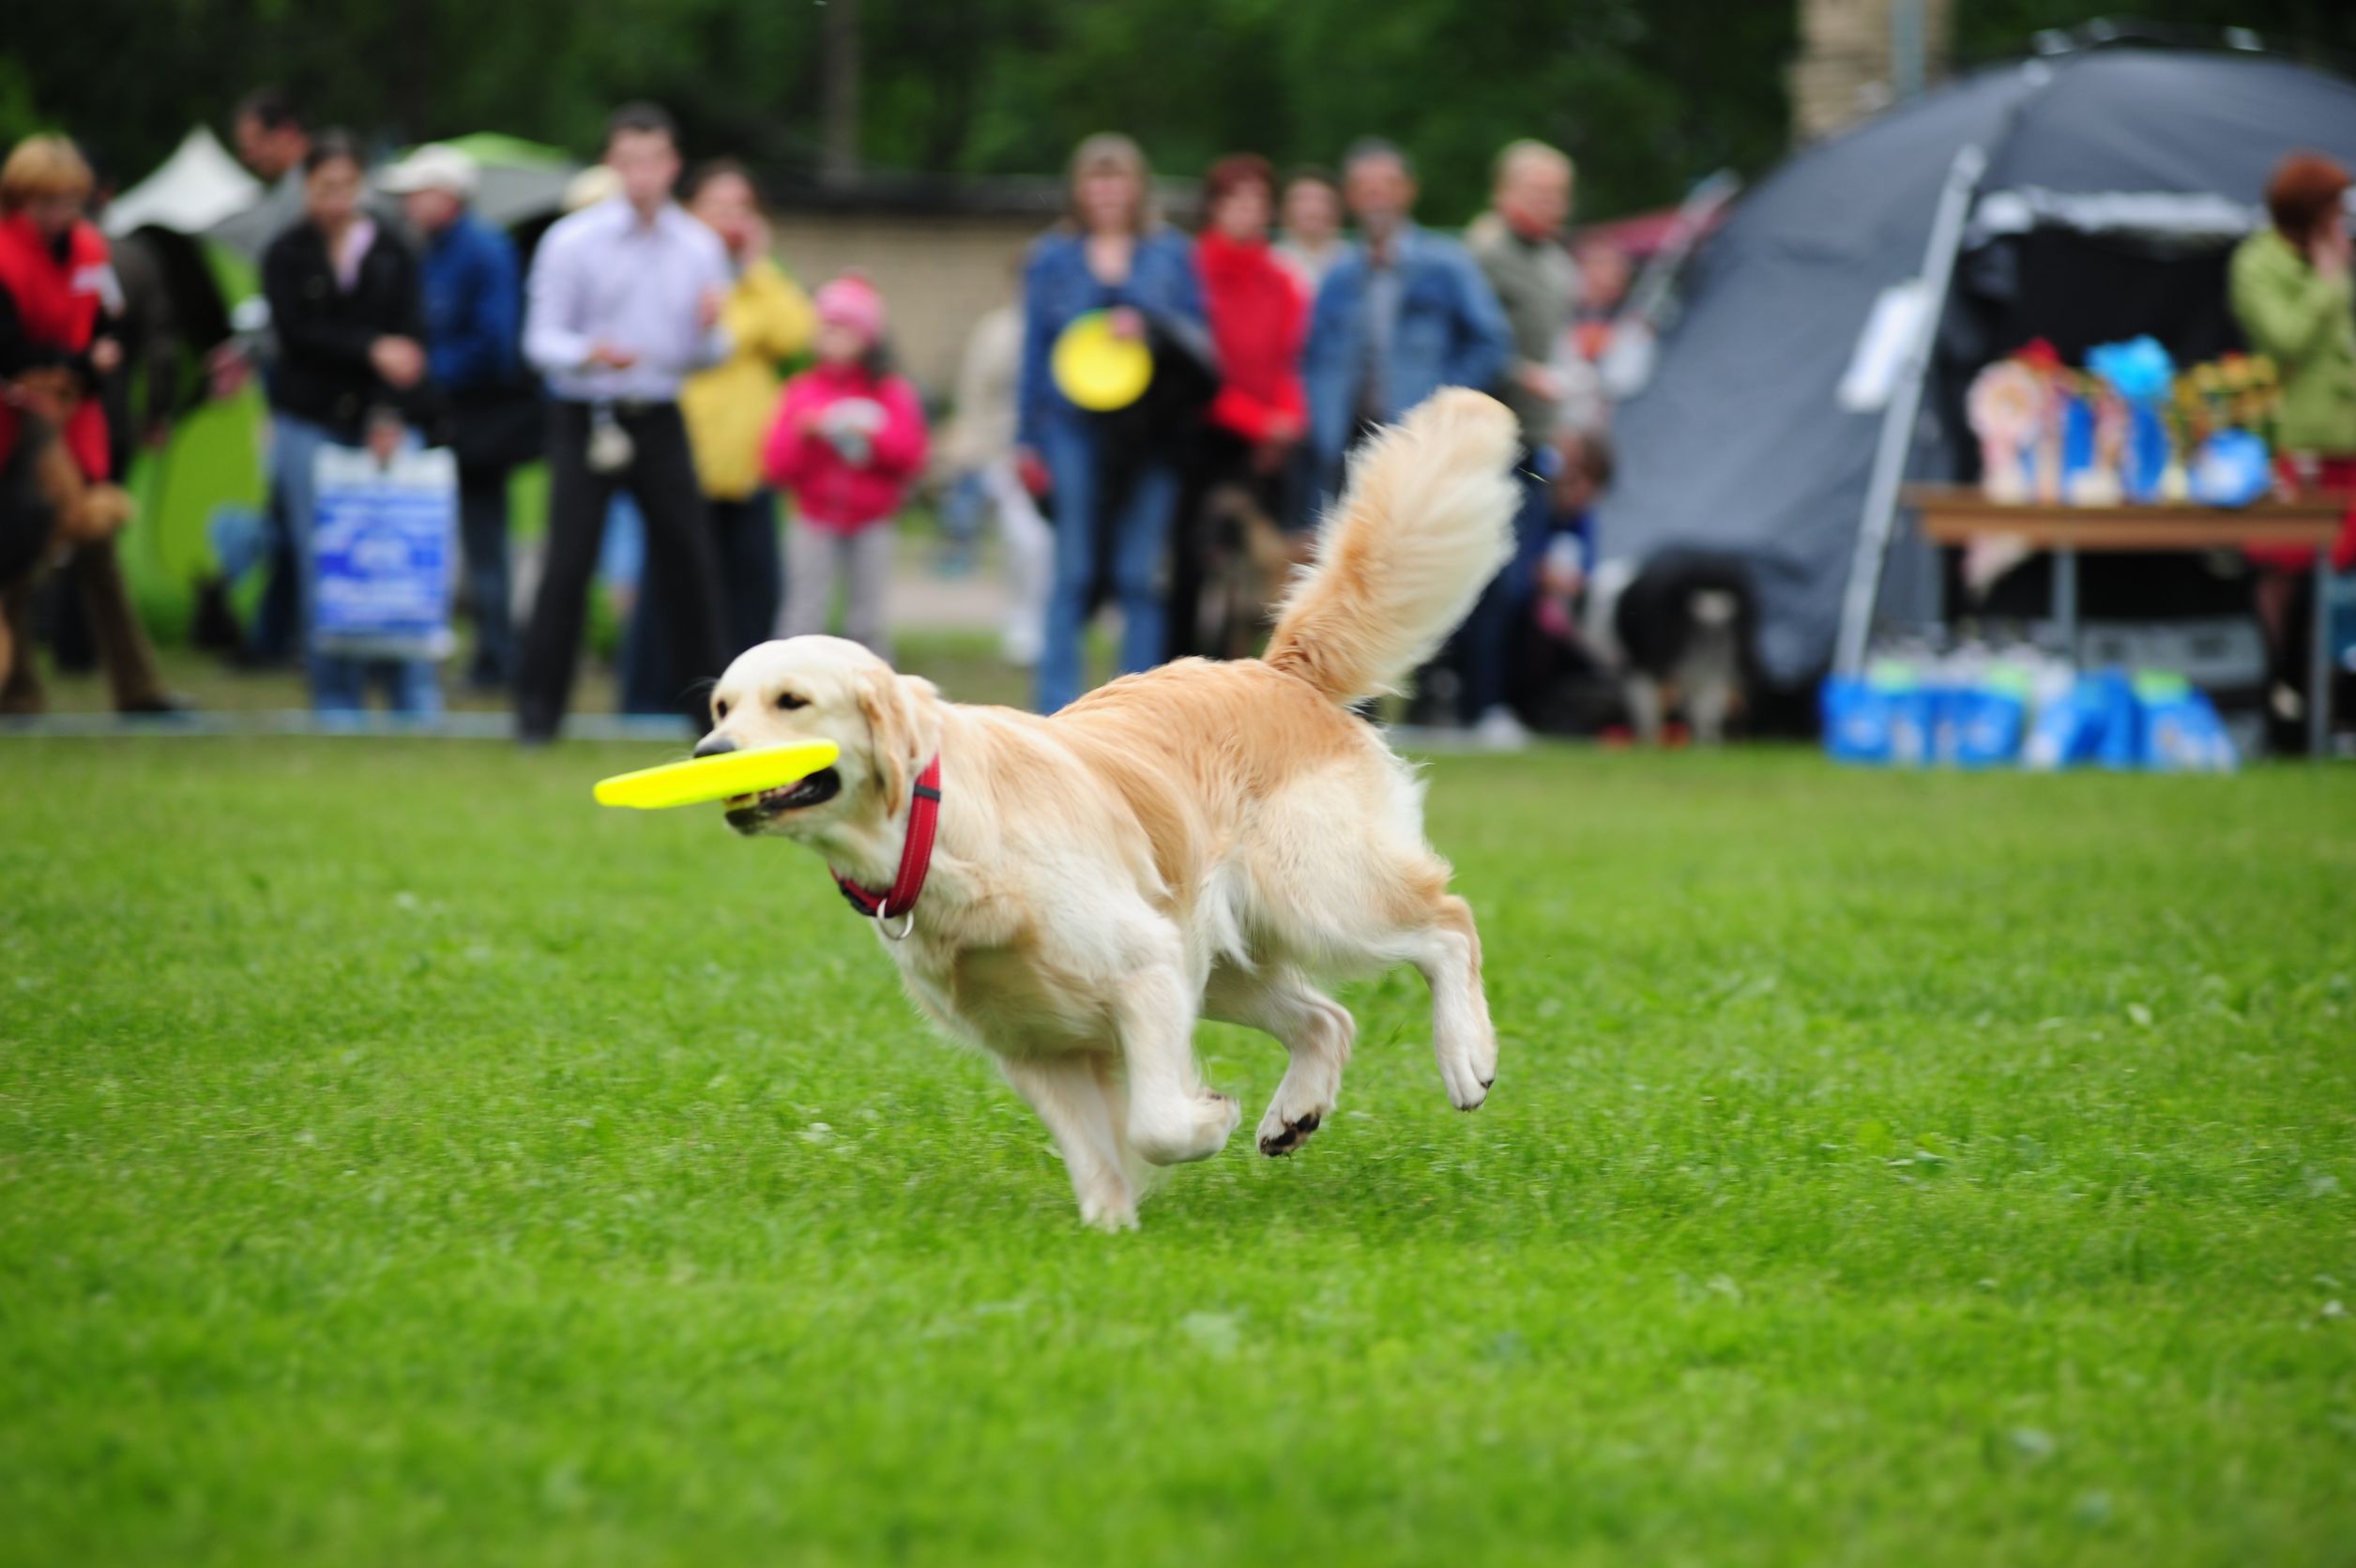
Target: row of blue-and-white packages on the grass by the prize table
[1990, 709]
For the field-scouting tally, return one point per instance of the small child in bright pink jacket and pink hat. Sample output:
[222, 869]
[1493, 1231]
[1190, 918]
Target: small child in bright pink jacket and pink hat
[847, 447]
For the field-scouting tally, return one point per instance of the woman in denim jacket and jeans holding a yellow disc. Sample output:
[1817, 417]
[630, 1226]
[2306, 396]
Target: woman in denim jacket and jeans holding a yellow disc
[1113, 256]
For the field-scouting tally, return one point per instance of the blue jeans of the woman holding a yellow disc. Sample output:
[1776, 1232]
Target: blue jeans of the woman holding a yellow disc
[1141, 534]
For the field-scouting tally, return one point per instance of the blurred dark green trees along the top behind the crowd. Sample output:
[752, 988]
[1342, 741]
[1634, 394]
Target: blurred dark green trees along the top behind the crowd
[1646, 93]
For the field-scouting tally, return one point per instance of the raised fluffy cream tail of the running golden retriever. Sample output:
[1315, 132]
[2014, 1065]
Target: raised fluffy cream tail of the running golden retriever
[1422, 529]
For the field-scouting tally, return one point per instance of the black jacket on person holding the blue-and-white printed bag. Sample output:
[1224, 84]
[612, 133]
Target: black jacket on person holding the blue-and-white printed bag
[324, 334]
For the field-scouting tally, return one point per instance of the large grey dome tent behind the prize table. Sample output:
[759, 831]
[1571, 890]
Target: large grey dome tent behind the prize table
[1832, 322]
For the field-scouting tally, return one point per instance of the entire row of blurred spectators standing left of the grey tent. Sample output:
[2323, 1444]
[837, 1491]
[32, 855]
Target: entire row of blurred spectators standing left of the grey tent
[642, 355]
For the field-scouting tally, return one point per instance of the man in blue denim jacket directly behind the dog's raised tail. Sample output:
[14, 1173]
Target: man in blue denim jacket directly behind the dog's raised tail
[1403, 315]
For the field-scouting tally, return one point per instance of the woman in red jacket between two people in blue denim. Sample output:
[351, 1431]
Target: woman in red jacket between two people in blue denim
[1255, 423]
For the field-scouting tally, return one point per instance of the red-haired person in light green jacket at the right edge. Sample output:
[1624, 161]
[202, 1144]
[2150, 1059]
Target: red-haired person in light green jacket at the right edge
[2296, 305]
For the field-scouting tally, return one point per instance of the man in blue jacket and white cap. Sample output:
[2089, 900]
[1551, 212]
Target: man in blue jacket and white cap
[475, 310]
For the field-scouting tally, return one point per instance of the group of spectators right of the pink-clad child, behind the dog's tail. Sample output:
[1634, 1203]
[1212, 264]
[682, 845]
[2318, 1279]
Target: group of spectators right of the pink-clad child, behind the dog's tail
[1304, 312]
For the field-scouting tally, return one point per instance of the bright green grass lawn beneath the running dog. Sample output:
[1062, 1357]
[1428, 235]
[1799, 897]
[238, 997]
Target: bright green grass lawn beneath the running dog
[406, 1164]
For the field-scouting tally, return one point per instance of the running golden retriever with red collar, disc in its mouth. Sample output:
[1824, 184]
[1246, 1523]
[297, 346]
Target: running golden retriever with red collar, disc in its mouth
[1198, 841]
